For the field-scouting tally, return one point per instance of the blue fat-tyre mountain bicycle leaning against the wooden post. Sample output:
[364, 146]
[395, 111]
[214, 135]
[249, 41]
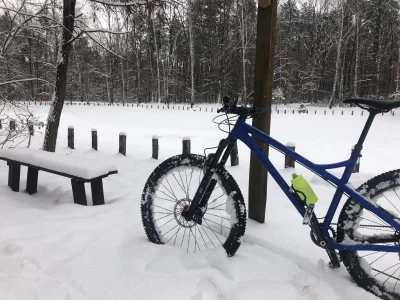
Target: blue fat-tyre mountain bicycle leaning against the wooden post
[194, 211]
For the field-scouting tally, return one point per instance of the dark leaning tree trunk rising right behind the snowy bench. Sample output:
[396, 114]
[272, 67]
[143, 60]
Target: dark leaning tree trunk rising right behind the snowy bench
[53, 119]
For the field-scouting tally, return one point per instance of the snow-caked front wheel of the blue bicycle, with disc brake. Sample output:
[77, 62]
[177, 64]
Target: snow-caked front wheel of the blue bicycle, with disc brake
[171, 188]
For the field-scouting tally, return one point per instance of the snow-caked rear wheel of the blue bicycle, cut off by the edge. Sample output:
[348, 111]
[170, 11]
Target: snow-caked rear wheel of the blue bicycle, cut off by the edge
[377, 272]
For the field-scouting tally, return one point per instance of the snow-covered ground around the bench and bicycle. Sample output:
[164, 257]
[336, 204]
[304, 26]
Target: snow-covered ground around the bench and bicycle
[51, 248]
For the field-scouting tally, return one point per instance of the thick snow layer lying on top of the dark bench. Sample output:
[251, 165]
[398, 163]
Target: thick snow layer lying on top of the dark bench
[81, 167]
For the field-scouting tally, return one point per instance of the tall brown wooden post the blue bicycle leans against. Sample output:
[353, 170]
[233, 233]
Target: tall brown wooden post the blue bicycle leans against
[263, 86]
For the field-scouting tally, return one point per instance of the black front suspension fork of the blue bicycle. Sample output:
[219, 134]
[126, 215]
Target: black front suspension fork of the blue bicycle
[198, 206]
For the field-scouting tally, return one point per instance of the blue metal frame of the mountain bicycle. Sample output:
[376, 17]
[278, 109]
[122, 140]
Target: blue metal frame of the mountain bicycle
[246, 133]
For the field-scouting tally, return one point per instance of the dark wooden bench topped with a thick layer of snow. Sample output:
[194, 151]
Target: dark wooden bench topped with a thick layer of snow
[79, 169]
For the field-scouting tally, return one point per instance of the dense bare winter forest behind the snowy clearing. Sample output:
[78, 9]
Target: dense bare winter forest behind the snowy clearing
[197, 51]
